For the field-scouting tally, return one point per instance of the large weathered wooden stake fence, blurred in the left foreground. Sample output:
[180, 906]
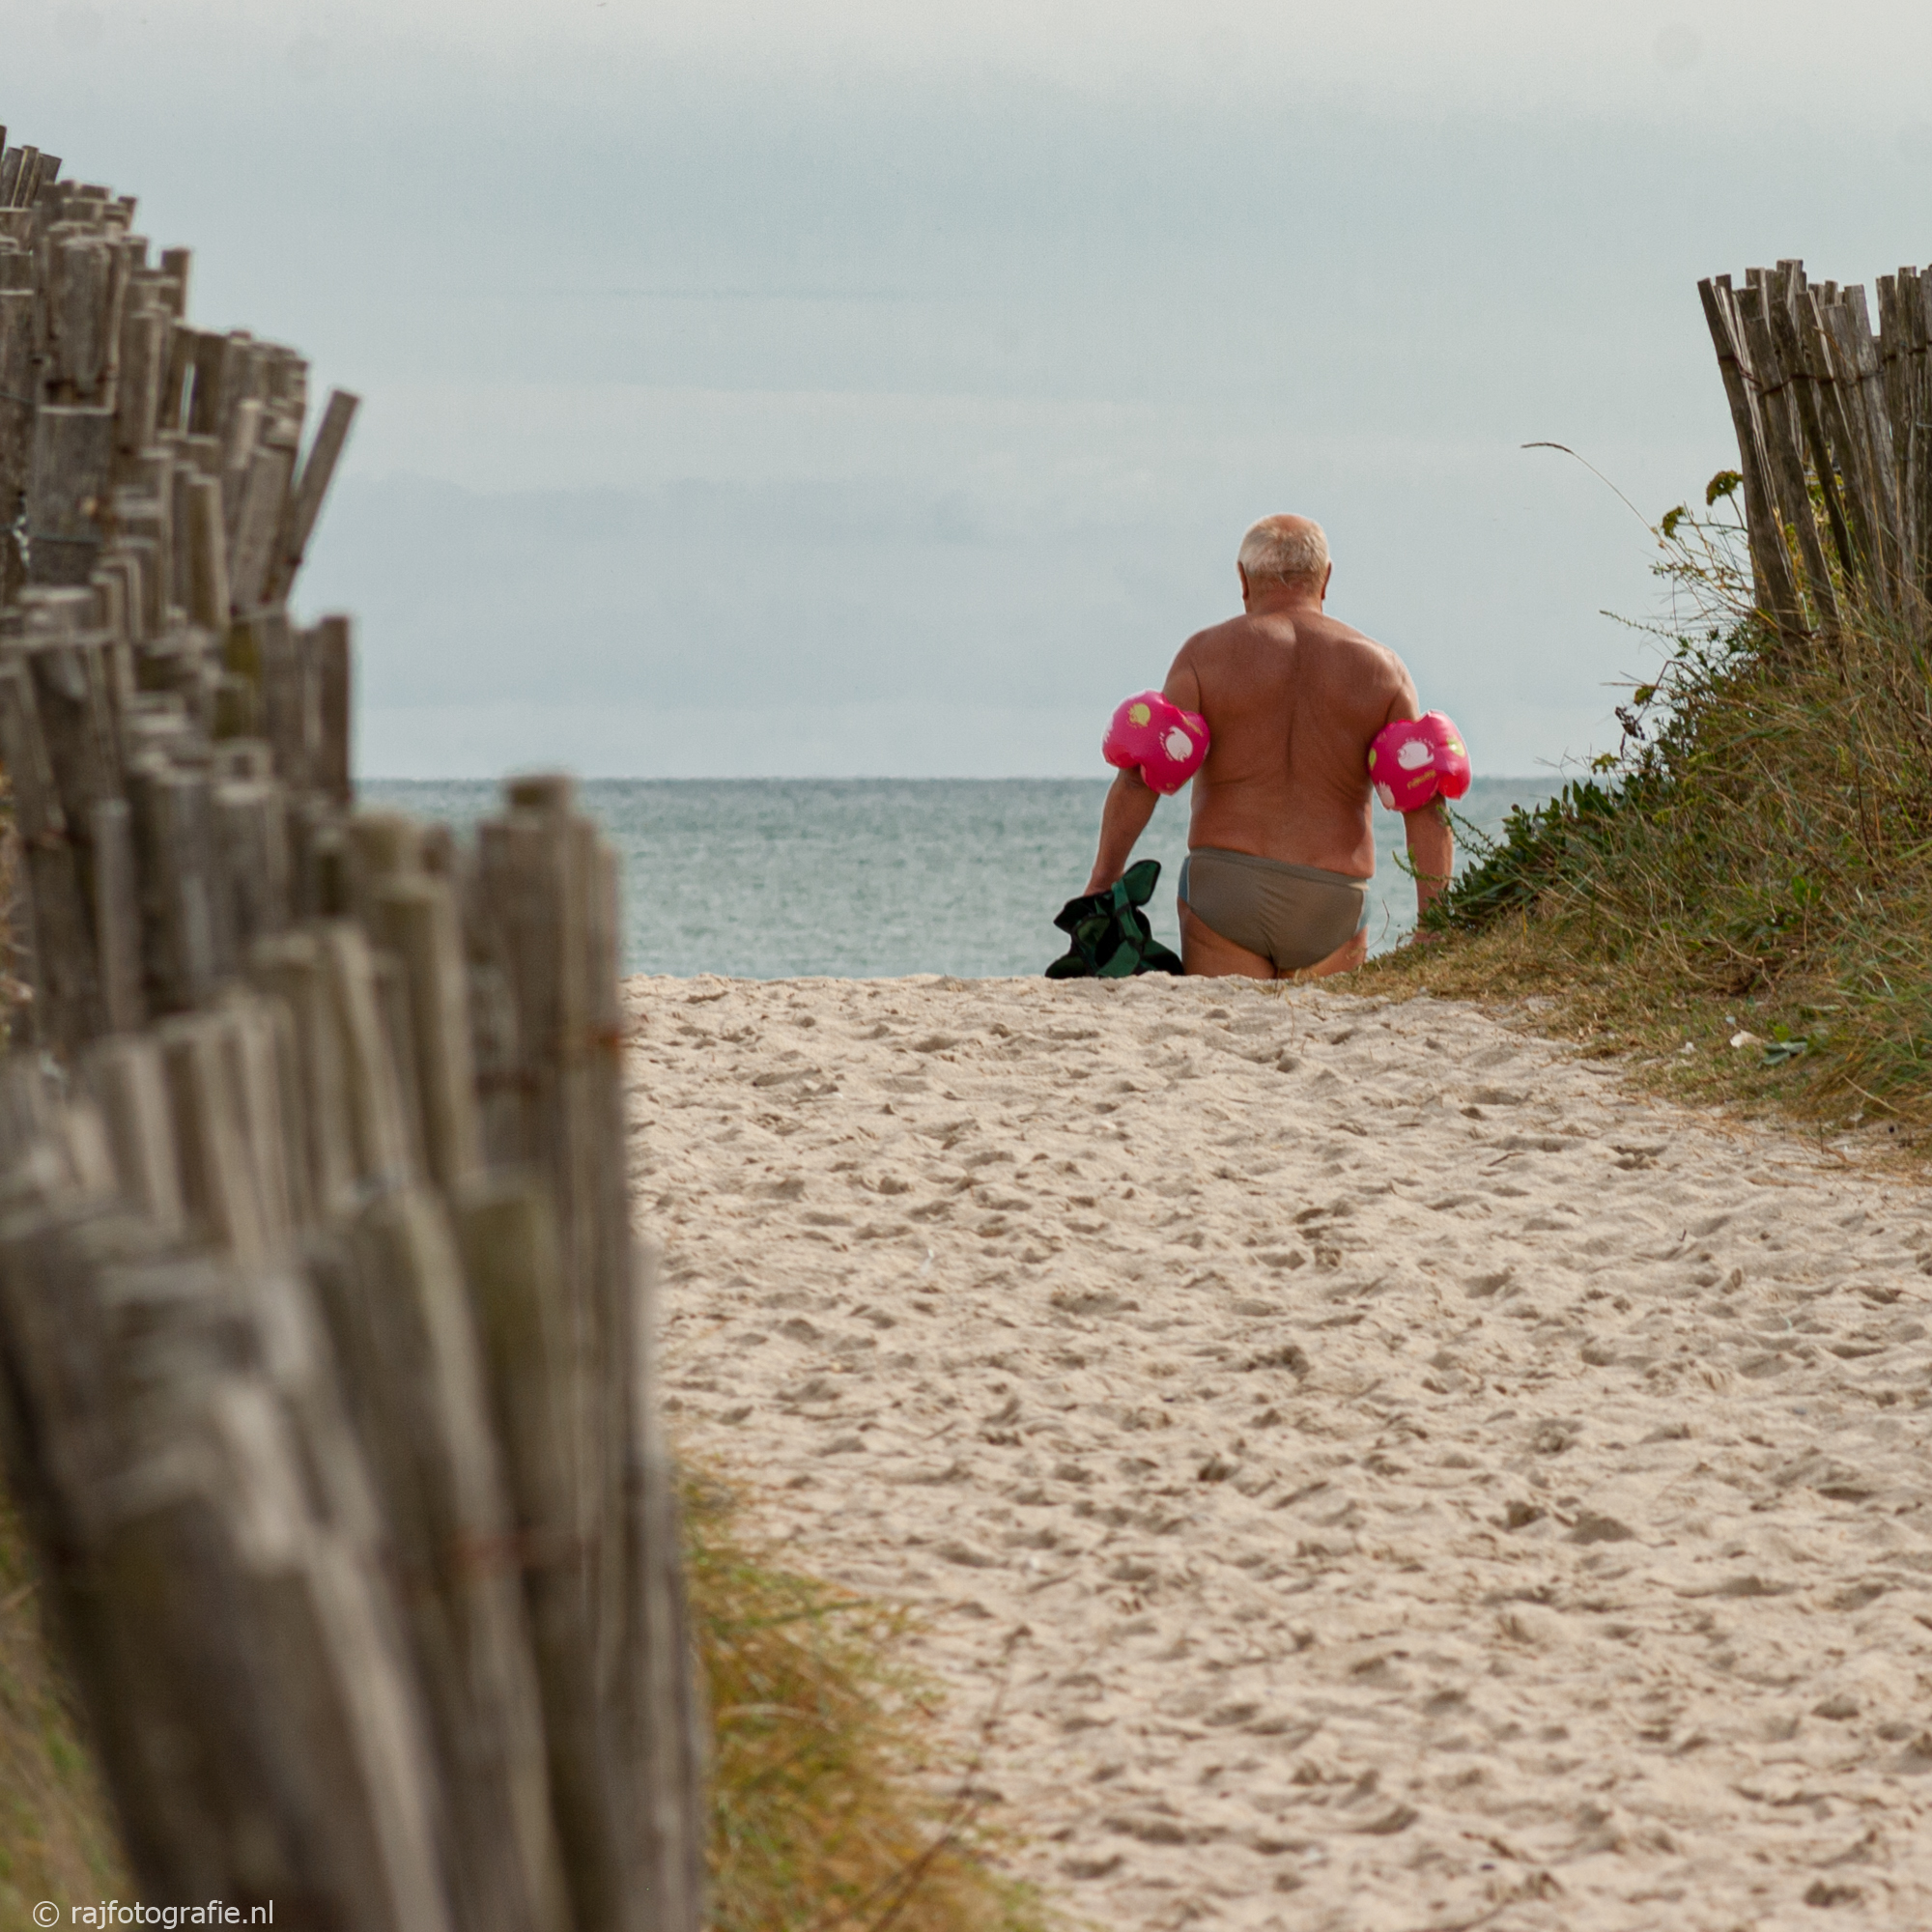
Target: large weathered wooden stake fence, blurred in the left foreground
[324, 1336]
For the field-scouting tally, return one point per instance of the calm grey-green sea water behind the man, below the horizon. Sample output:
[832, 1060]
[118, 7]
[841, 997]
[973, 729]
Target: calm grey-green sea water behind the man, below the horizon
[872, 878]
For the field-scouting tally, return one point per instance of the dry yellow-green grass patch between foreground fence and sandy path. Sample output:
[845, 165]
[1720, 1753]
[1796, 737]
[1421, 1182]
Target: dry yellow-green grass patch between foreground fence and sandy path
[832, 1811]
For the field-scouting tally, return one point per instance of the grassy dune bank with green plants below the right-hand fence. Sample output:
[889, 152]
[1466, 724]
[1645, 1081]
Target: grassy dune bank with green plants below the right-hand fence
[1742, 895]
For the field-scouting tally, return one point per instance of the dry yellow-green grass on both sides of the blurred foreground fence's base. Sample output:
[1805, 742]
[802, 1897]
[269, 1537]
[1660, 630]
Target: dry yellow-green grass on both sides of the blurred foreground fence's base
[830, 1809]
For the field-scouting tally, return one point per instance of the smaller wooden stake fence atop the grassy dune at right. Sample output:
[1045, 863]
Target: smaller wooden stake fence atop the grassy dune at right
[1834, 434]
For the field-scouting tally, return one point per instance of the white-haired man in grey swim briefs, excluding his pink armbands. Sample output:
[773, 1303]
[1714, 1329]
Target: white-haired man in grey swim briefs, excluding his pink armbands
[1280, 843]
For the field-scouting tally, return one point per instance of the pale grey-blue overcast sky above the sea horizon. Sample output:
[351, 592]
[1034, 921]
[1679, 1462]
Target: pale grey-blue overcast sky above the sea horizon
[884, 387]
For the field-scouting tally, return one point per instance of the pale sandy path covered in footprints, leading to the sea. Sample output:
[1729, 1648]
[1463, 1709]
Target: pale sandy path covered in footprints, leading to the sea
[1400, 1479]
